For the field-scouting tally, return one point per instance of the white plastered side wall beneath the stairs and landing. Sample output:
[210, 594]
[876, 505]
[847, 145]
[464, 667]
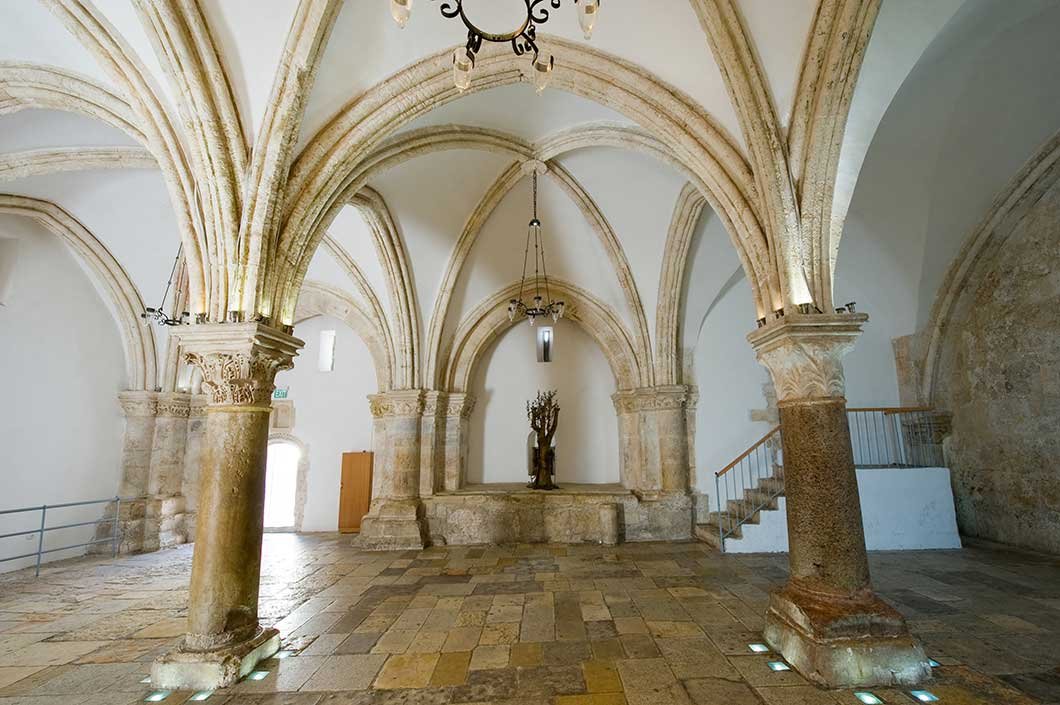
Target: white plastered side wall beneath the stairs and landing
[903, 509]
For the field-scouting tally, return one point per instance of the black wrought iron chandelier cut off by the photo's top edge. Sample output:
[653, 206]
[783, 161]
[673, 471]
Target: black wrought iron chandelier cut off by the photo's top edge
[523, 38]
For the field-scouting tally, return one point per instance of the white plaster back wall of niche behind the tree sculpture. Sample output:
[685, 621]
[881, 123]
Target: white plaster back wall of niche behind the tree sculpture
[509, 376]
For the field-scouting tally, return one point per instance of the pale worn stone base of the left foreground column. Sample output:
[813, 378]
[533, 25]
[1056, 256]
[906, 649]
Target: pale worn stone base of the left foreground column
[209, 671]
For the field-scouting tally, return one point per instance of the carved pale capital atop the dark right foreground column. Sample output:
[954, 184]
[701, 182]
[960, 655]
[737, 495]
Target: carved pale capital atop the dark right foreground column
[804, 354]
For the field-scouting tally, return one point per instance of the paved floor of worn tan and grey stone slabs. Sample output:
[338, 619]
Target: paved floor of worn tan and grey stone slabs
[641, 624]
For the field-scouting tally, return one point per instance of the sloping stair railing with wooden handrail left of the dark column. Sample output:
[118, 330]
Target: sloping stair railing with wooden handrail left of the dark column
[751, 484]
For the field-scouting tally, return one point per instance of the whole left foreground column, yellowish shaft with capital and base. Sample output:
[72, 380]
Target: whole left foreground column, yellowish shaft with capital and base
[224, 641]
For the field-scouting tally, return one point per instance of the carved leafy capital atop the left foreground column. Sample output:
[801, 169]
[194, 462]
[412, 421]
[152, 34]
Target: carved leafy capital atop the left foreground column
[239, 361]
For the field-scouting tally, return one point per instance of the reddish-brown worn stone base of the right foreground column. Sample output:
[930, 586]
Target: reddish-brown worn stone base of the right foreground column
[842, 644]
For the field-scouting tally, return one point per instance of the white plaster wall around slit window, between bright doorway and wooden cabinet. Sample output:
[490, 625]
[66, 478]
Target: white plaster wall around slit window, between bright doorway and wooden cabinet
[331, 413]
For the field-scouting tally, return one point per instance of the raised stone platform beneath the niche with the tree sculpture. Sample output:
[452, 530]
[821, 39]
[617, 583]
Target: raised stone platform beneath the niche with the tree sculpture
[576, 514]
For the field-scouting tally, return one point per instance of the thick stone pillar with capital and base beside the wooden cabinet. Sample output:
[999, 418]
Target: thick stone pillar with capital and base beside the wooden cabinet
[395, 521]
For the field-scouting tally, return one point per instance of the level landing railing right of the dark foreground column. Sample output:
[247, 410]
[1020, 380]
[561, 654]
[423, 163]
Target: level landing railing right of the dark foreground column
[896, 437]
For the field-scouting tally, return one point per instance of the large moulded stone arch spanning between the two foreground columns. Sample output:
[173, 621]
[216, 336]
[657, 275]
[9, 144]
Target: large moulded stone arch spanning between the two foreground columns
[328, 170]
